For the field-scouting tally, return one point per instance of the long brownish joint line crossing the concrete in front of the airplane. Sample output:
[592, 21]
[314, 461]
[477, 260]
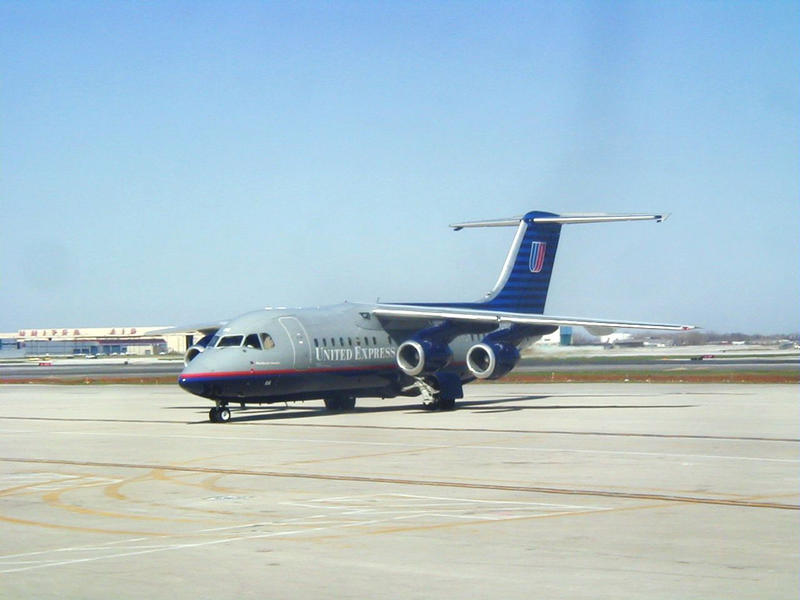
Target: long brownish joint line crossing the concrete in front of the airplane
[420, 482]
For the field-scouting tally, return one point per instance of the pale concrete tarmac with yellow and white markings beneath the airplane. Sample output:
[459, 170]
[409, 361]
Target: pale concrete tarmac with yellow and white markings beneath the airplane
[563, 490]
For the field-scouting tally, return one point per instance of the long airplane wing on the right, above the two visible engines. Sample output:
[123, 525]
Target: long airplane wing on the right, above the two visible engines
[420, 313]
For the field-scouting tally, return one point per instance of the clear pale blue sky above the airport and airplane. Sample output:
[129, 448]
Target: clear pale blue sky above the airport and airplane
[175, 162]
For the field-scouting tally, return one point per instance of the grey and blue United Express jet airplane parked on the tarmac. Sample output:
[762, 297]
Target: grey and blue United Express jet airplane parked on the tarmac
[429, 349]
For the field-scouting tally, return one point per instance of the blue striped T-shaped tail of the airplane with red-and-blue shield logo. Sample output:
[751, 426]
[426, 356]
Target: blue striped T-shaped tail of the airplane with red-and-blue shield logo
[525, 278]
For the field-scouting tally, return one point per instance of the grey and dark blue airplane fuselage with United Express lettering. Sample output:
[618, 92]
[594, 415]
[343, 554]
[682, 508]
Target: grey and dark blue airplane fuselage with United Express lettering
[309, 353]
